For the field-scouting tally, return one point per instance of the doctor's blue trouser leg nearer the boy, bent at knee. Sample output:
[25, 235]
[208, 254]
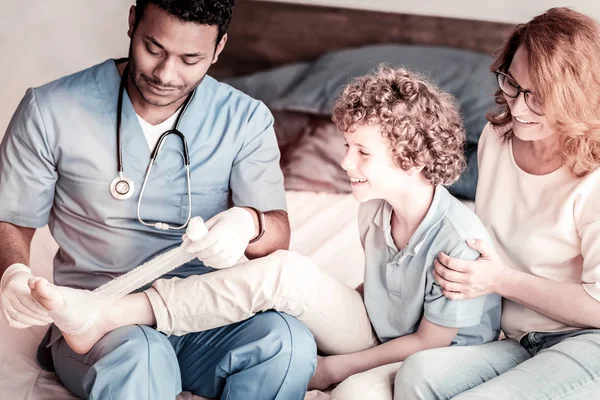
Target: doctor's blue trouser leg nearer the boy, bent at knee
[269, 356]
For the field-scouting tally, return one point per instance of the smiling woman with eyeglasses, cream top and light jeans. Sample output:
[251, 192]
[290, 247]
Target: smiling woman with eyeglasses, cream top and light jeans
[539, 197]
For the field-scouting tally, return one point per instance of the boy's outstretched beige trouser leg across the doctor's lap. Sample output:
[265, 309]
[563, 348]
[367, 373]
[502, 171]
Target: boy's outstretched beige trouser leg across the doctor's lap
[283, 281]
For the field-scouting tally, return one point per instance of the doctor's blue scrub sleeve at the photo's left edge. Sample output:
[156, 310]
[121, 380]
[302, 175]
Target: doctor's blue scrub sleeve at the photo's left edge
[27, 167]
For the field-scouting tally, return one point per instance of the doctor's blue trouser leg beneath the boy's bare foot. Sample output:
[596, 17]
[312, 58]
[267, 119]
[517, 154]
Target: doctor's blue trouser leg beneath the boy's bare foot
[133, 362]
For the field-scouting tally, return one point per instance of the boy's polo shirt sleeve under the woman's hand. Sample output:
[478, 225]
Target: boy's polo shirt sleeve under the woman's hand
[442, 311]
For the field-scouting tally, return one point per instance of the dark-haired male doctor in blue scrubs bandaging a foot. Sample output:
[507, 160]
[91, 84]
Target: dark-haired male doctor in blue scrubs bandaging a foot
[58, 163]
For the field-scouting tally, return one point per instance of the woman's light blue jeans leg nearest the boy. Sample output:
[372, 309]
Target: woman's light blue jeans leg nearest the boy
[446, 372]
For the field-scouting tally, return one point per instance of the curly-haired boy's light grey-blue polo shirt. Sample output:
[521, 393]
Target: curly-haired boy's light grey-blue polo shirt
[399, 285]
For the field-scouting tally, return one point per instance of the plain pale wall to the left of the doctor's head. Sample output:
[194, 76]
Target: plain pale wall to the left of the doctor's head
[43, 40]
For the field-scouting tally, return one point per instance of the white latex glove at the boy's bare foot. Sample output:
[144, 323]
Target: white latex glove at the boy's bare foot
[19, 309]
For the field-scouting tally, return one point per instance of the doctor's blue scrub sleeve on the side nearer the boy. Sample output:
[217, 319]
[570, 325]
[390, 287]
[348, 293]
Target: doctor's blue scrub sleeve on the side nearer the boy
[256, 177]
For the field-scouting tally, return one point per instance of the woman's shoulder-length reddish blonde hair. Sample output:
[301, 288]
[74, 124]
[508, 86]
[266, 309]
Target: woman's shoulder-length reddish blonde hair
[564, 65]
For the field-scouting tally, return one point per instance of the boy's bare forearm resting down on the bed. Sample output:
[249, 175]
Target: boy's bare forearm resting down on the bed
[428, 336]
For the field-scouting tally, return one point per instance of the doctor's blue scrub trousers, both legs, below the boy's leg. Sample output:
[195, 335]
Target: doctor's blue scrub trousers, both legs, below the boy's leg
[269, 356]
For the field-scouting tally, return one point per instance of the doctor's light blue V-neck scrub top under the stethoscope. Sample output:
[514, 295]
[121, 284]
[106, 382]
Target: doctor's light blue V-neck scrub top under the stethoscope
[59, 156]
